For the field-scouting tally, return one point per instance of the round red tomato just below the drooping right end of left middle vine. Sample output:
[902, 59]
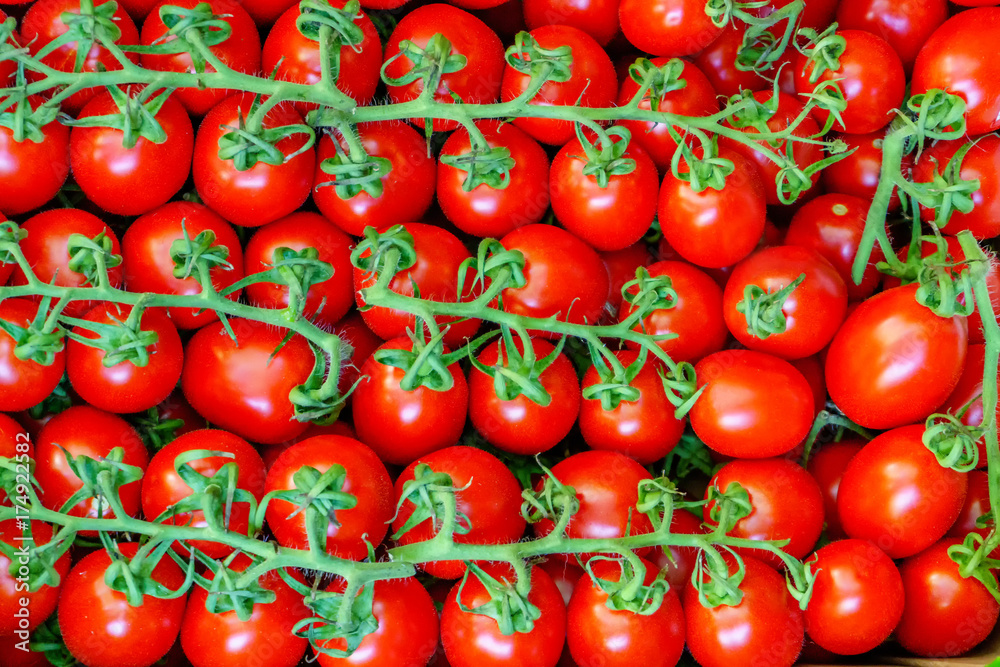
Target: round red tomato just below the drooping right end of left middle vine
[364, 477]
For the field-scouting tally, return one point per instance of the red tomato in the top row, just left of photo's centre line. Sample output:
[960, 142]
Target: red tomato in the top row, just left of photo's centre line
[478, 82]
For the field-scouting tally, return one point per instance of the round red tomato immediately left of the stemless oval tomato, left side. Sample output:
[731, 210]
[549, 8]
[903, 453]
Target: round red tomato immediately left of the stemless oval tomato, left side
[125, 386]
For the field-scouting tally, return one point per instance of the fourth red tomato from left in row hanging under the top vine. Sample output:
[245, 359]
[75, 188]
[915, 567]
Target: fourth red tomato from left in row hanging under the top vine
[407, 190]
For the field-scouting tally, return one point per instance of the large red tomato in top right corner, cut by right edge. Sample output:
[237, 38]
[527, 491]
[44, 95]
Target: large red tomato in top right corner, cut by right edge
[957, 57]
